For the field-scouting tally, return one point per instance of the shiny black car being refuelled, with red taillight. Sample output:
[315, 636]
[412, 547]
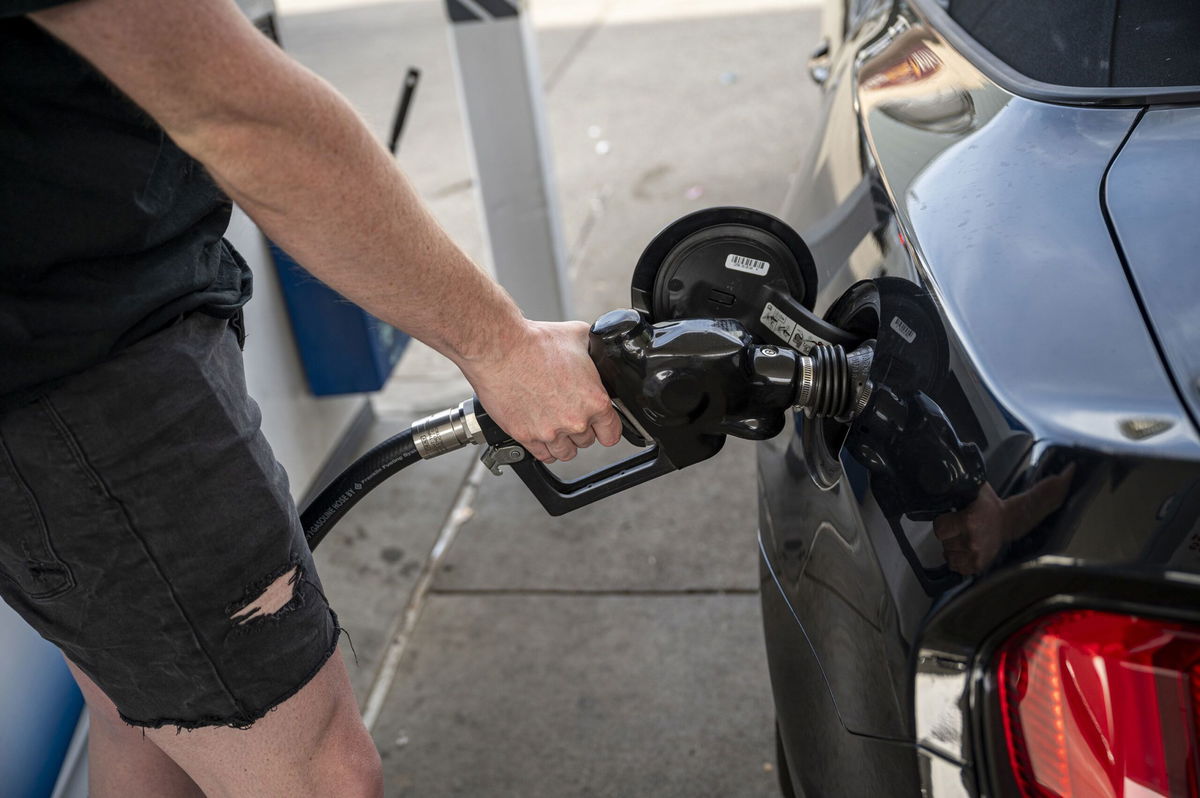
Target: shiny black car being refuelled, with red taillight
[988, 584]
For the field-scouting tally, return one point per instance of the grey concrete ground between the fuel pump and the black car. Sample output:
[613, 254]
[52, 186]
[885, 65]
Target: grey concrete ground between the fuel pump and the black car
[616, 651]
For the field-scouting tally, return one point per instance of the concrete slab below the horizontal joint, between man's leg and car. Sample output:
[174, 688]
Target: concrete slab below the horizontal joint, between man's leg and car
[545, 697]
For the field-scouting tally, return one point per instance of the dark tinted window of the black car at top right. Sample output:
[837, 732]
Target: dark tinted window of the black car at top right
[1090, 43]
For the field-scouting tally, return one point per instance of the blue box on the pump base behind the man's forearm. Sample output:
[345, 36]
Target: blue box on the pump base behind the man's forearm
[344, 349]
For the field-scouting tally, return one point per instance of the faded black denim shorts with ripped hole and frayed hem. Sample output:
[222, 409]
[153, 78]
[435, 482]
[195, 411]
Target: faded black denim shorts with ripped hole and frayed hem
[145, 514]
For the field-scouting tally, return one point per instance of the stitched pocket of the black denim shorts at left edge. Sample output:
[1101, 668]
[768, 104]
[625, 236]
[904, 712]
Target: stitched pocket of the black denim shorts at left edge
[27, 556]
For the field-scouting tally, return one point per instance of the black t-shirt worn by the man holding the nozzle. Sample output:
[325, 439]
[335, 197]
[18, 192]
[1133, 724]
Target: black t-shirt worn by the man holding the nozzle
[109, 232]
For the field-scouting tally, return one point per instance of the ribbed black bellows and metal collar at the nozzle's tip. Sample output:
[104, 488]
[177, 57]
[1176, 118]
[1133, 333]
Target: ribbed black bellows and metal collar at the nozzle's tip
[833, 383]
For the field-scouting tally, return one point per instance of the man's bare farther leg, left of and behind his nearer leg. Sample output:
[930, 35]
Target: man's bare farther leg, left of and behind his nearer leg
[122, 759]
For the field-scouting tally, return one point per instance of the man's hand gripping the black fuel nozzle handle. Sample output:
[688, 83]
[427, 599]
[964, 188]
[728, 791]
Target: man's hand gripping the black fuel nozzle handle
[544, 392]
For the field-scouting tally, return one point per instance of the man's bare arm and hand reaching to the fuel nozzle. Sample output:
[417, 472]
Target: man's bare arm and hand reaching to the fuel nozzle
[296, 157]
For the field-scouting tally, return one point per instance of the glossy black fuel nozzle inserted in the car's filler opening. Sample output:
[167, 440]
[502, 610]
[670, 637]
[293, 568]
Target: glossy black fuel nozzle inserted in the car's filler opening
[681, 388]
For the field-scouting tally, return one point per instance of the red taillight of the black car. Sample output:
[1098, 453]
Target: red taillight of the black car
[1099, 705]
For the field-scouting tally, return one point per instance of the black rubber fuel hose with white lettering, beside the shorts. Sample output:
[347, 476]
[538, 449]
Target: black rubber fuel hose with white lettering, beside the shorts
[365, 475]
